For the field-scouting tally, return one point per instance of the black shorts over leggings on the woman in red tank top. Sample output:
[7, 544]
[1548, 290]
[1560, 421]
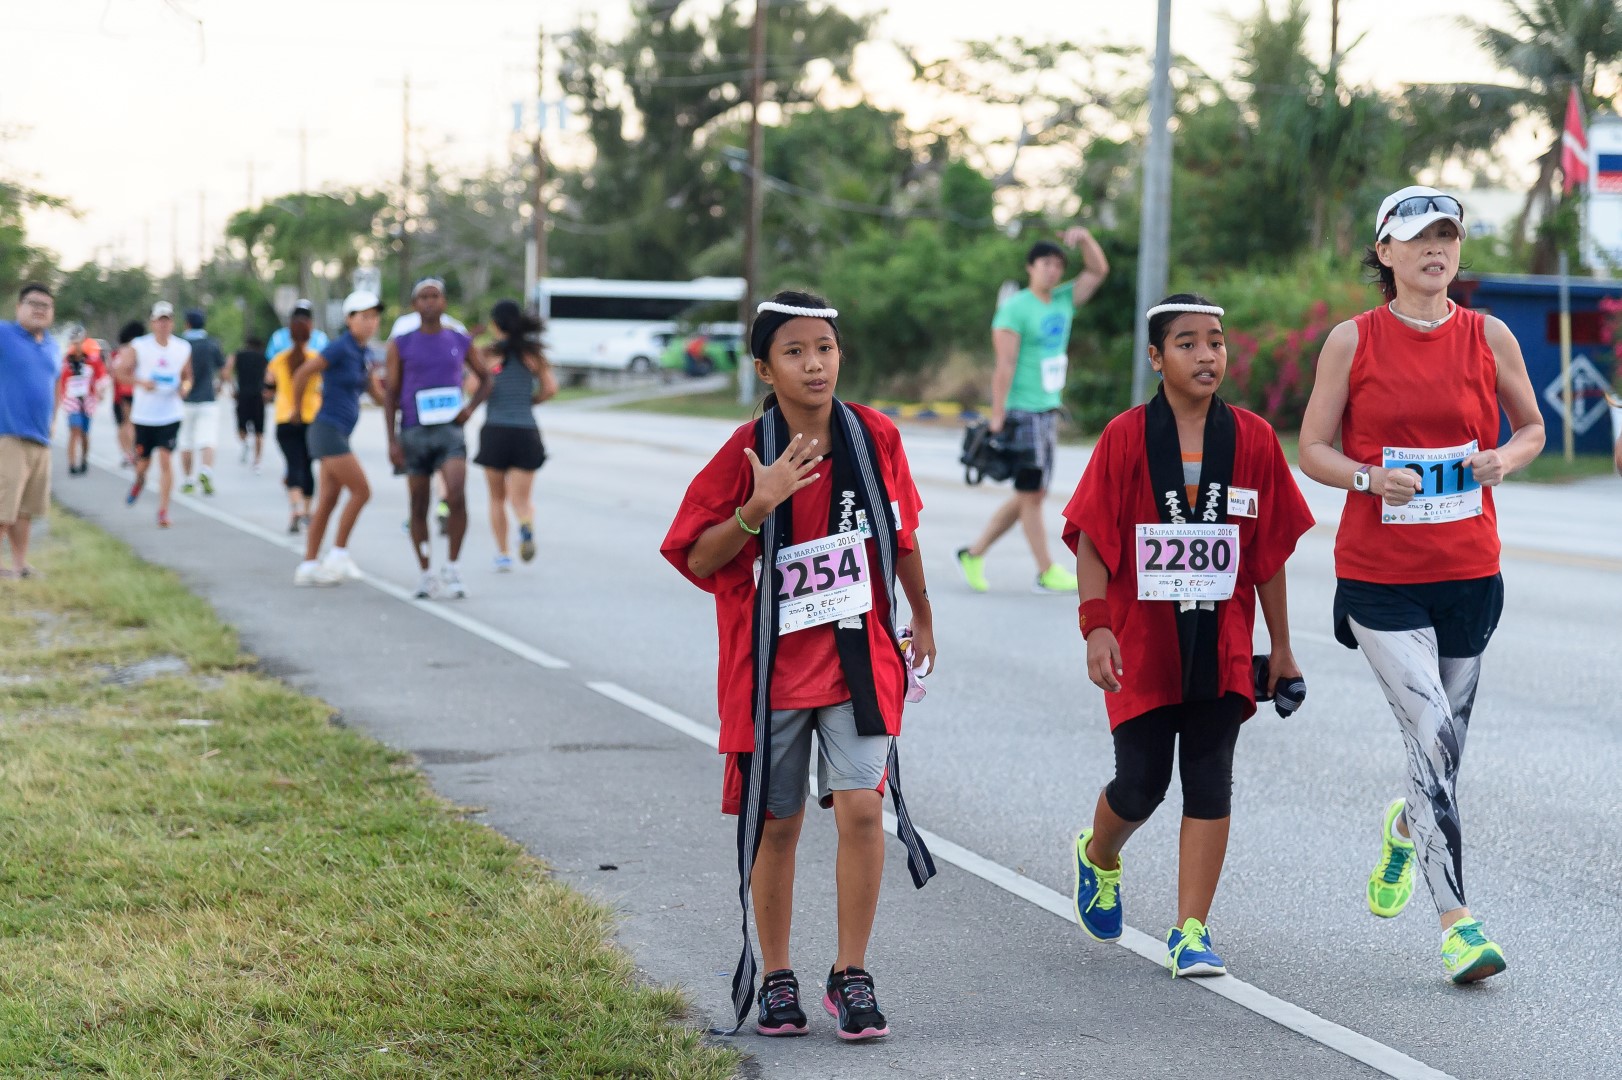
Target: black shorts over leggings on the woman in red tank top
[1464, 612]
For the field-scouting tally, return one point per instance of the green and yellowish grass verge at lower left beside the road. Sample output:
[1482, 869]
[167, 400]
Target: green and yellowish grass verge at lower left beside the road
[268, 896]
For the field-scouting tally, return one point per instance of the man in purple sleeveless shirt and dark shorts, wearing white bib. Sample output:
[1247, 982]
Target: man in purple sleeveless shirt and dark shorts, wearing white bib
[426, 388]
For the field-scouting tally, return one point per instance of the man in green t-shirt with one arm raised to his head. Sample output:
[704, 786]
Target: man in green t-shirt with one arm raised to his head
[1032, 336]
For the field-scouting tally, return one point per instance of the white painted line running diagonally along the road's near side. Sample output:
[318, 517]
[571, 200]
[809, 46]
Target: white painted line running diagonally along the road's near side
[1362, 1048]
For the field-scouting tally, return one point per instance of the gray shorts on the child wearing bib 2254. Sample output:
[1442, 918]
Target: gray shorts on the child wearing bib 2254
[846, 761]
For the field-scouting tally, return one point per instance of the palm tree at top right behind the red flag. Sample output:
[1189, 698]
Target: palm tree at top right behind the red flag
[1551, 46]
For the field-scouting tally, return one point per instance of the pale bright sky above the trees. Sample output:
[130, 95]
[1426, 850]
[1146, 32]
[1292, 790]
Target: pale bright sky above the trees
[153, 126]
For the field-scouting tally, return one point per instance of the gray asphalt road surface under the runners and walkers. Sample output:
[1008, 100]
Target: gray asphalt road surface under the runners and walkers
[1005, 760]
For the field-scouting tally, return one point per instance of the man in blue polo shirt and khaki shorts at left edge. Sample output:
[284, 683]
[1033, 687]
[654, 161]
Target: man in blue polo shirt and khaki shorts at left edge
[28, 374]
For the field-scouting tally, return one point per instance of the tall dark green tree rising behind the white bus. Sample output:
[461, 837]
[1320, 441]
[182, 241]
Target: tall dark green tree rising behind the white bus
[659, 194]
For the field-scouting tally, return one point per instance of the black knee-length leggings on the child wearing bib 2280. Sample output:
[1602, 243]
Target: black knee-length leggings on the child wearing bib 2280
[1203, 734]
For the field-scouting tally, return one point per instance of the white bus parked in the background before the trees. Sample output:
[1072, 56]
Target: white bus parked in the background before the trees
[625, 325]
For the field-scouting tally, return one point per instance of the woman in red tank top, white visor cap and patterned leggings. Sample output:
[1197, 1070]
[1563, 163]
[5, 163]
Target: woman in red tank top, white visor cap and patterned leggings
[1412, 392]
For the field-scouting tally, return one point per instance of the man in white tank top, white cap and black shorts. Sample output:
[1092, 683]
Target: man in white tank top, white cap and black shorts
[160, 367]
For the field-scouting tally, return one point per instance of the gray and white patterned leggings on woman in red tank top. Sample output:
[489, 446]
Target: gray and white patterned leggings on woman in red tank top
[1433, 698]
